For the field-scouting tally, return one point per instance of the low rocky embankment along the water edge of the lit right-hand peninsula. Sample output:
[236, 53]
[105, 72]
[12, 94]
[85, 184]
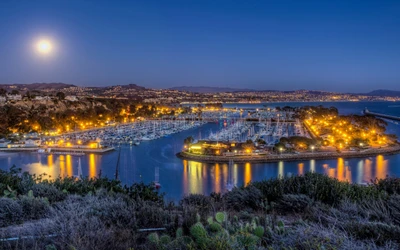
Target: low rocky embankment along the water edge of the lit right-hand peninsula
[269, 158]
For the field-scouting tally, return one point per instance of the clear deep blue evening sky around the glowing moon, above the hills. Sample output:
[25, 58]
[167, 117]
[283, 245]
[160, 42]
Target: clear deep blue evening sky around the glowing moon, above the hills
[285, 45]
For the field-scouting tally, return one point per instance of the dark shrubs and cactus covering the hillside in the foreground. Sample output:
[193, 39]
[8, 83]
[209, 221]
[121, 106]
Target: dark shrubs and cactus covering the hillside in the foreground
[301, 212]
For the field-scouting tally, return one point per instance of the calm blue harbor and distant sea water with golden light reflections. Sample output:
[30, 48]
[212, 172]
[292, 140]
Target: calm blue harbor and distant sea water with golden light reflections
[179, 177]
